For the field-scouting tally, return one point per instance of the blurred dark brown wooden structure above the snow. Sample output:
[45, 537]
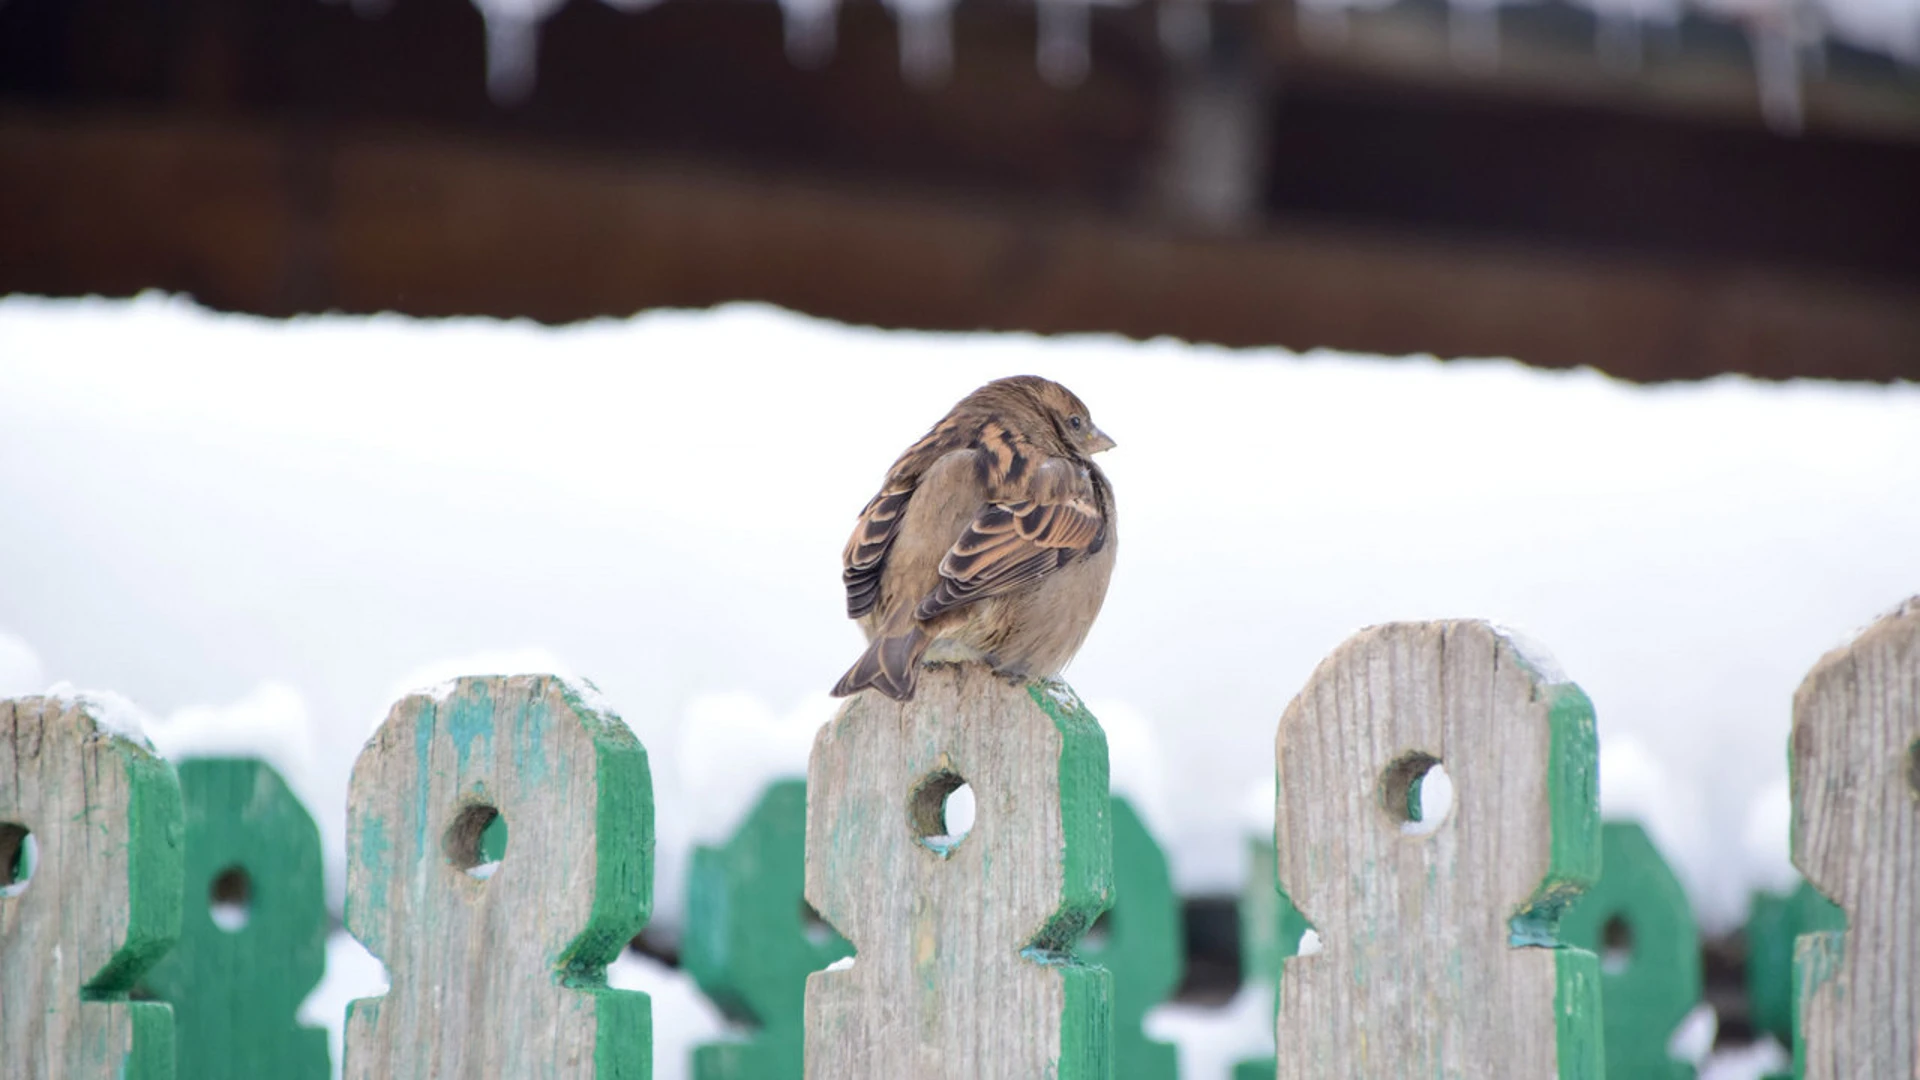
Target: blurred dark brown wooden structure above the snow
[1664, 201]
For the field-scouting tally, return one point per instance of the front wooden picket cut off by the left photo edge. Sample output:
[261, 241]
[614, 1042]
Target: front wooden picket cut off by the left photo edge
[103, 900]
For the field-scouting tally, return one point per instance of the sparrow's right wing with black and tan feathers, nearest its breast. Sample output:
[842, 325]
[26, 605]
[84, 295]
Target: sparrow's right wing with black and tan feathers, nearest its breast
[1019, 541]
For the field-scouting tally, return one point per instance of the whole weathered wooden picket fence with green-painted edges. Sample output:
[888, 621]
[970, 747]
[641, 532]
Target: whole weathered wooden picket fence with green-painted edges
[861, 937]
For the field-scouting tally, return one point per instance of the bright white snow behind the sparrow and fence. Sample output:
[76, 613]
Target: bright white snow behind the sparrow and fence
[266, 531]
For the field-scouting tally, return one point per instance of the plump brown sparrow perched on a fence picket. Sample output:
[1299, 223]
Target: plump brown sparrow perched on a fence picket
[992, 541]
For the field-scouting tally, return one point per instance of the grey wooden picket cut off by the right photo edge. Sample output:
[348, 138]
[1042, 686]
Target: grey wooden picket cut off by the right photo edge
[1856, 770]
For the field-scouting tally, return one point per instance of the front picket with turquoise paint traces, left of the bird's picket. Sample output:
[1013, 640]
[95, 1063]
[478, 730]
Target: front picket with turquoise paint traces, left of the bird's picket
[500, 977]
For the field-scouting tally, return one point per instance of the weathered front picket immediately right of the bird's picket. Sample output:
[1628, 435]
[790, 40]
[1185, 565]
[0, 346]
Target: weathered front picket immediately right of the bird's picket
[1426, 968]
